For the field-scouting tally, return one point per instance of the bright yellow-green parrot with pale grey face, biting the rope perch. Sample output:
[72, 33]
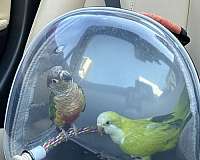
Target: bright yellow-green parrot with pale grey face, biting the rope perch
[145, 137]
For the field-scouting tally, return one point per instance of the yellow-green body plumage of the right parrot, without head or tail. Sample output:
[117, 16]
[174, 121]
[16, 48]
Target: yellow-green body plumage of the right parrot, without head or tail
[144, 138]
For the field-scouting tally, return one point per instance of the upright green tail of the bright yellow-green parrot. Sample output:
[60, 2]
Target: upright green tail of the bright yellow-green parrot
[182, 111]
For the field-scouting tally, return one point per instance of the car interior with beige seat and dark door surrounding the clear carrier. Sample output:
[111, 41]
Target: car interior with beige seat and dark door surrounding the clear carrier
[21, 21]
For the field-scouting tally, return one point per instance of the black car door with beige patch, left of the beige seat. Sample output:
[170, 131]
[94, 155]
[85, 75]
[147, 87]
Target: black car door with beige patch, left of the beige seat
[16, 18]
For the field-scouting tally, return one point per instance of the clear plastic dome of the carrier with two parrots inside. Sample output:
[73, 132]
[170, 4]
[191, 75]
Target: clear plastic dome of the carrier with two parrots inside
[107, 68]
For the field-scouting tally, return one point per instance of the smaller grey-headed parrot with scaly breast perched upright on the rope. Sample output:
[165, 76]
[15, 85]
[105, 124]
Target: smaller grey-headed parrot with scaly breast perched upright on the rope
[66, 99]
